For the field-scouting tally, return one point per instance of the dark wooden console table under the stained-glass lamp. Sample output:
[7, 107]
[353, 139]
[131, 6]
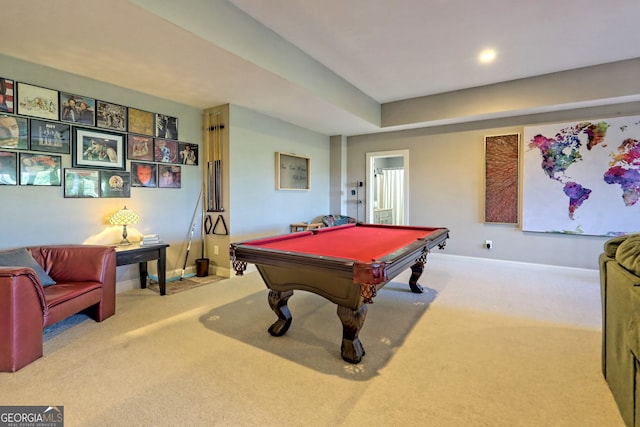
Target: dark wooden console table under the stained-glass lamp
[135, 253]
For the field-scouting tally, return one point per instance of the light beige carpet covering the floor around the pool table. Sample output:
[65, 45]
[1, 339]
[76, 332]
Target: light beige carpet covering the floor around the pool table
[489, 344]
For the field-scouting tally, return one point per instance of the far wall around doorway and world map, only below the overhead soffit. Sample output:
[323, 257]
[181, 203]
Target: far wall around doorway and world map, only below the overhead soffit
[447, 188]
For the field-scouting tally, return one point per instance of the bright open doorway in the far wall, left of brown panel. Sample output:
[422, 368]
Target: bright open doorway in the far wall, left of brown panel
[388, 187]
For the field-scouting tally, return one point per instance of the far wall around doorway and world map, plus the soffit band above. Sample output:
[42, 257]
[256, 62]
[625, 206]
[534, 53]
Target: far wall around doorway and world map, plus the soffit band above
[446, 150]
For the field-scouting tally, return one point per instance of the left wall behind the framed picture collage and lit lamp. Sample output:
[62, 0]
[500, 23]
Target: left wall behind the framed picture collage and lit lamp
[41, 215]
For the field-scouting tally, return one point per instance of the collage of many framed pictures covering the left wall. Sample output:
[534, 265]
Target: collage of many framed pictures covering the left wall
[40, 127]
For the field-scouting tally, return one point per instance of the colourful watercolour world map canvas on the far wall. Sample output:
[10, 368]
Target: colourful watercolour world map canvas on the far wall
[583, 177]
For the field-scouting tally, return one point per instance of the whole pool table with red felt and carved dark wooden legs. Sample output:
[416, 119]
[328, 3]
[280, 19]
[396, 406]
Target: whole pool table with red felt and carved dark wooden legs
[346, 264]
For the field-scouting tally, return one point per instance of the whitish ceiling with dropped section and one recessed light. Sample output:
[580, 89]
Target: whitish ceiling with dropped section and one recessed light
[326, 65]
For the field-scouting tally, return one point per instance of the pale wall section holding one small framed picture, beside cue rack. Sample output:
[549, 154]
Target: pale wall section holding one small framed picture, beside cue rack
[257, 208]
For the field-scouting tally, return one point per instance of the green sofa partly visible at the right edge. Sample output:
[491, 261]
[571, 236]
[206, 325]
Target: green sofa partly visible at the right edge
[620, 287]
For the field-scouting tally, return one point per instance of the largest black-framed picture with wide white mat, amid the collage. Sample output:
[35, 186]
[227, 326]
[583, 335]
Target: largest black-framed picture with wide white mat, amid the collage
[93, 148]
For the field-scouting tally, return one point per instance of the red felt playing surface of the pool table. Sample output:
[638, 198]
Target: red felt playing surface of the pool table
[363, 242]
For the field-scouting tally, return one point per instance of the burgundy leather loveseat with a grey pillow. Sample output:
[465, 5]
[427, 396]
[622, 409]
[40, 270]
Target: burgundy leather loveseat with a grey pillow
[73, 278]
